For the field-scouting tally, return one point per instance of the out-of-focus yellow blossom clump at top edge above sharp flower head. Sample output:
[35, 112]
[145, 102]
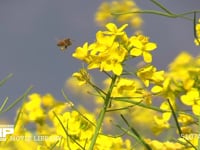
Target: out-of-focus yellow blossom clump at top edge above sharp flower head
[105, 10]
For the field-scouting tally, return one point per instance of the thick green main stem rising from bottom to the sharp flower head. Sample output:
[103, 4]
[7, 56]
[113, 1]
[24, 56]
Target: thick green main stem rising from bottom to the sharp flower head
[102, 113]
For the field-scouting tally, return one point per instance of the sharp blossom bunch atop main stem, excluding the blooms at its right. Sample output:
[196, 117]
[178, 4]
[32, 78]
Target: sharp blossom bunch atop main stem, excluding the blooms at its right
[106, 53]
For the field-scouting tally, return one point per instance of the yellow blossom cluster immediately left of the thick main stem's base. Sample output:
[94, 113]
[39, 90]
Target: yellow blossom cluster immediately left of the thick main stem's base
[77, 127]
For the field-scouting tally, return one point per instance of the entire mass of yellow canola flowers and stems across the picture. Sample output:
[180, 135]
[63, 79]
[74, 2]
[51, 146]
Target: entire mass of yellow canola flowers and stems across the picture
[132, 110]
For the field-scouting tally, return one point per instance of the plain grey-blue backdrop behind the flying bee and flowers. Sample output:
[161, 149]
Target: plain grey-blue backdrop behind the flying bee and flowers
[29, 30]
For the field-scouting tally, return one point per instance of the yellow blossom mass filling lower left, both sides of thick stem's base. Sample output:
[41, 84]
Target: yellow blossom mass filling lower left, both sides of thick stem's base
[51, 118]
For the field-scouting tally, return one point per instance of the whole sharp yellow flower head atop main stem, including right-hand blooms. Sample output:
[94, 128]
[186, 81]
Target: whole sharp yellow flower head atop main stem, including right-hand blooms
[113, 47]
